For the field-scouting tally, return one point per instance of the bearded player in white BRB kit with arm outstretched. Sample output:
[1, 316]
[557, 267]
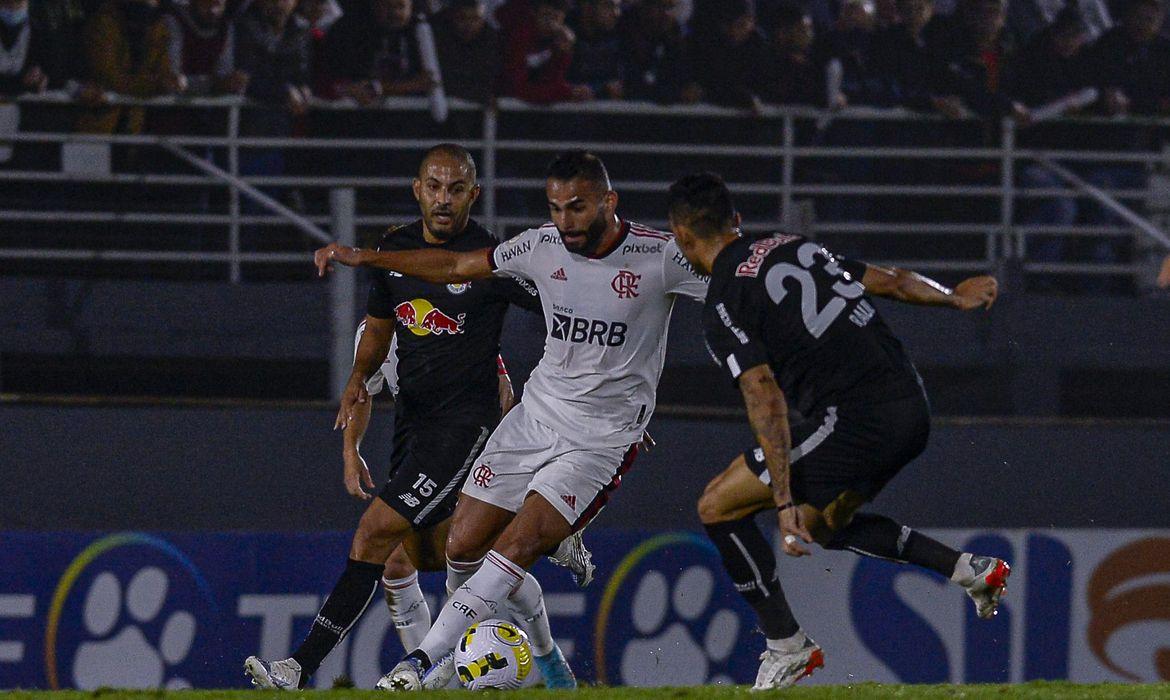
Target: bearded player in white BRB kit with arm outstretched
[608, 289]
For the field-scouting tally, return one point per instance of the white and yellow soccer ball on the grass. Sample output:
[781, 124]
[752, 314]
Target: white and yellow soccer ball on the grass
[493, 655]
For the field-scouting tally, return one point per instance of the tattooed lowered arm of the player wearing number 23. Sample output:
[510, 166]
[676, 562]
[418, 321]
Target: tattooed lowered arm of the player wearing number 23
[769, 416]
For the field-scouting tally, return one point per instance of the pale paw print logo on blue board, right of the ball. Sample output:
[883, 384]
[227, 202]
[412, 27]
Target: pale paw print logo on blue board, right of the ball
[680, 640]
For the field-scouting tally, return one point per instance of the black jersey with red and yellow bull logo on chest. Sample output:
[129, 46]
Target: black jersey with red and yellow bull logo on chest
[449, 335]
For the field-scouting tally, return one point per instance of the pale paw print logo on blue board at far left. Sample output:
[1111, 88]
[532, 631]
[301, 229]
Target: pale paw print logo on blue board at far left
[130, 642]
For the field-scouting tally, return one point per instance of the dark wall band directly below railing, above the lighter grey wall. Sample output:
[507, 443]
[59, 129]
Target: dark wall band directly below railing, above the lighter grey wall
[1031, 355]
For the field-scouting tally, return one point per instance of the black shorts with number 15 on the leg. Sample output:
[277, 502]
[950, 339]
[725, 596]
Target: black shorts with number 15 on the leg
[429, 468]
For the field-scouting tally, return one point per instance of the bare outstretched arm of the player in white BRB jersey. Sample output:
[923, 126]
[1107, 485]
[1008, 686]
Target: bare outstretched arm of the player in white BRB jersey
[435, 265]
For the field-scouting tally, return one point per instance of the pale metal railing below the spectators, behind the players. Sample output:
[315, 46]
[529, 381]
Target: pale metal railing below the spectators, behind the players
[776, 162]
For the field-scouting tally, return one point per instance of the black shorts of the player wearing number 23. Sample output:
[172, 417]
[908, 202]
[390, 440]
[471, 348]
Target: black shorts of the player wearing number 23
[851, 449]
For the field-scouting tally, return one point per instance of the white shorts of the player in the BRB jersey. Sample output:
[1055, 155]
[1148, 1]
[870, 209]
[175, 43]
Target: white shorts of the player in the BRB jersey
[524, 456]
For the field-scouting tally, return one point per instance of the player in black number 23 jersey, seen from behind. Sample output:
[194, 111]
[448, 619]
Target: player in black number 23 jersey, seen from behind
[794, 327]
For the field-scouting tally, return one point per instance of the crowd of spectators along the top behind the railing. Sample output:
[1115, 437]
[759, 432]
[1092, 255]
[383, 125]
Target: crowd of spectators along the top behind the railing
[986, 58]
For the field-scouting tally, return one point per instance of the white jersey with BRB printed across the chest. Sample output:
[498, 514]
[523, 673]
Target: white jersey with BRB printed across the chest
[607, 324]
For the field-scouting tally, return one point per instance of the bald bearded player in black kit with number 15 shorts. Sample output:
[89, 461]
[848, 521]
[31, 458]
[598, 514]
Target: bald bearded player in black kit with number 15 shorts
[448, 406]
